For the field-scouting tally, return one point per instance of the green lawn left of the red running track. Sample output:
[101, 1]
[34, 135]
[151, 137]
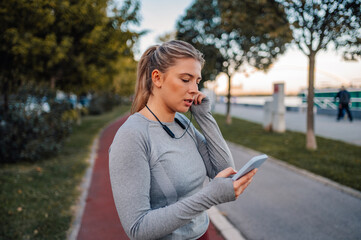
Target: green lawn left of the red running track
[36, 198]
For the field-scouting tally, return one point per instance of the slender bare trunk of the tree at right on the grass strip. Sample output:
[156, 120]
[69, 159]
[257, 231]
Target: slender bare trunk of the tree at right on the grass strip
[311, 143]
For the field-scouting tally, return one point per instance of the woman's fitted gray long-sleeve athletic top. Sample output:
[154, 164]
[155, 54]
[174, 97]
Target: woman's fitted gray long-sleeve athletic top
[157, 181]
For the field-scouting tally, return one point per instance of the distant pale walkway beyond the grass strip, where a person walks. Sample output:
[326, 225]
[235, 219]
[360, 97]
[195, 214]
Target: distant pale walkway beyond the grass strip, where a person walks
[325, 126]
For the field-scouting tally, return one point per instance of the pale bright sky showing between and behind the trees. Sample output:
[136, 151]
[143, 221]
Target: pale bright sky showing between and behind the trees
[160, 16]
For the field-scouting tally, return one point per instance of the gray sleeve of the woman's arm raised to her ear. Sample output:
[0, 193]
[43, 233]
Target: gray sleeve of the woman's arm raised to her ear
[212, 146]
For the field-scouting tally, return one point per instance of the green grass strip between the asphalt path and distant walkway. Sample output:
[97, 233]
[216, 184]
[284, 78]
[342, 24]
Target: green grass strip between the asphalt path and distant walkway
[333, 159]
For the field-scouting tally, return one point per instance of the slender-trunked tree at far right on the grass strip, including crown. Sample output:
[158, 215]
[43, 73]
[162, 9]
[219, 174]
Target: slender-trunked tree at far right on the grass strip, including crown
[316, 26]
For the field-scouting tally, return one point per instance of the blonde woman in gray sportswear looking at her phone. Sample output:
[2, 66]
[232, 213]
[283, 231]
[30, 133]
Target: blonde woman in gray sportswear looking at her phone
[159, 161]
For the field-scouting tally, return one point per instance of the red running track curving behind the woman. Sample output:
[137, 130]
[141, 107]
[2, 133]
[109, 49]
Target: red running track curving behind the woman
[100, 219]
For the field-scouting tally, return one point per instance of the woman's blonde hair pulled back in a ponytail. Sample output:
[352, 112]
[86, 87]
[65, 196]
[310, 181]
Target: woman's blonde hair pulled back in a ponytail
[159, 57]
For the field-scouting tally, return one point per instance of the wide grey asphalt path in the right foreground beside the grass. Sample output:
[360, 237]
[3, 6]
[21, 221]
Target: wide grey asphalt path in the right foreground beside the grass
[284, 202]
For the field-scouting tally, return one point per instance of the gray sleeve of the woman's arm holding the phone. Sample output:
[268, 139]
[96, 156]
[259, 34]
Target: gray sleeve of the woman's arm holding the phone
[130, 182]
